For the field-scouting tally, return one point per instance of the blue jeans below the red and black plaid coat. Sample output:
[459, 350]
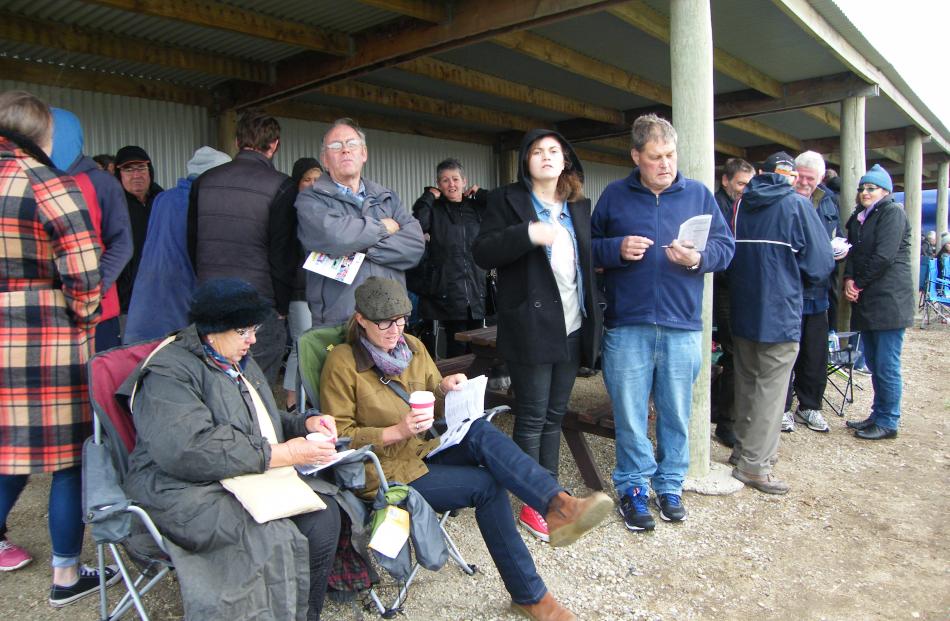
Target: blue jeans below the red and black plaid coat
[65, 511]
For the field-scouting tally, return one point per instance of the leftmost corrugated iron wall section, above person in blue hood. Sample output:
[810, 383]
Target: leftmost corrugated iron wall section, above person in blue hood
[169, 132]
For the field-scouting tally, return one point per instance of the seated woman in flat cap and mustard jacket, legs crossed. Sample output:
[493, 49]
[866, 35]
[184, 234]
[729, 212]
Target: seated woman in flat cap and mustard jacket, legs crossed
[478, 472]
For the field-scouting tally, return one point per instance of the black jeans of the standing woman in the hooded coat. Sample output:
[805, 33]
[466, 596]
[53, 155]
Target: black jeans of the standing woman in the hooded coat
[541, 395]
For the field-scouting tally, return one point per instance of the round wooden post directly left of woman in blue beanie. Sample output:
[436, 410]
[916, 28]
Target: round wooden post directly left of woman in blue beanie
[852, 168]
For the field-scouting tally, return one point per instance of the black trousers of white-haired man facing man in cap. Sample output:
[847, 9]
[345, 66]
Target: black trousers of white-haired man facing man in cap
[810, 374]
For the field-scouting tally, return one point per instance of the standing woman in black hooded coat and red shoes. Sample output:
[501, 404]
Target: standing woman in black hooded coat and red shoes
[536, 232]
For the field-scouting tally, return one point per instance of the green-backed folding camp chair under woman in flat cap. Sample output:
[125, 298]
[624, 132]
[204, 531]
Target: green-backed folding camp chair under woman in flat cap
[313, 346]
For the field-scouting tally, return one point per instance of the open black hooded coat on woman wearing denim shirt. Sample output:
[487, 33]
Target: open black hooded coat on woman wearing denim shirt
[530, 315]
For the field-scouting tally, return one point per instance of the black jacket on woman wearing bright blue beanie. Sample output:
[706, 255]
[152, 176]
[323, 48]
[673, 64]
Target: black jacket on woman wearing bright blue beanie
[879, 263]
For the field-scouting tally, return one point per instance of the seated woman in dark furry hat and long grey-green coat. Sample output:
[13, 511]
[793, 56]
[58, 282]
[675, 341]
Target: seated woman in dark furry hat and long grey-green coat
[205, 413]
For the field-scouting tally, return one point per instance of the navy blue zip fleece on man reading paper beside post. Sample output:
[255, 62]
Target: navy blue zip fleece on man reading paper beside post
[654, 290]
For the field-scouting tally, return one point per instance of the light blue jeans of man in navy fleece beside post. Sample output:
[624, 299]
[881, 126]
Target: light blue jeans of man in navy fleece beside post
[640, 360]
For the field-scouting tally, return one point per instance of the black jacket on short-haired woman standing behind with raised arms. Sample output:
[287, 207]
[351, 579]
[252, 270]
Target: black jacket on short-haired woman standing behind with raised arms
[448, 281]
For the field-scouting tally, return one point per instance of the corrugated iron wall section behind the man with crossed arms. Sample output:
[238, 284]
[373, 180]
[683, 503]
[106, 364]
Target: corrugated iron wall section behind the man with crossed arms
[402, 162]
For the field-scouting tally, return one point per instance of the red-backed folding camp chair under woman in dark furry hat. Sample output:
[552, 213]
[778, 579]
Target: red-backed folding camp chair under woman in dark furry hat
[105, 462]
